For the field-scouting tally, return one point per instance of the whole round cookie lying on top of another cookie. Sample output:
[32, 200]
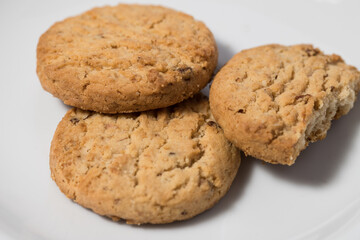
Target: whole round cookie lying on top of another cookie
[126, 58]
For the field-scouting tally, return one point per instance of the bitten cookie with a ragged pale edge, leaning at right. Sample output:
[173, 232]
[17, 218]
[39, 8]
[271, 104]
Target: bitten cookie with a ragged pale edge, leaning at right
[273, 100]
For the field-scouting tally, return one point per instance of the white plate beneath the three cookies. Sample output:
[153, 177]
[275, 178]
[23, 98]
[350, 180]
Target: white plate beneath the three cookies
[317, 198]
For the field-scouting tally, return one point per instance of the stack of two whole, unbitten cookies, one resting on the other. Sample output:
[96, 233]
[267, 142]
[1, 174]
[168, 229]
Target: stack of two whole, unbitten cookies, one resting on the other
[156, 155]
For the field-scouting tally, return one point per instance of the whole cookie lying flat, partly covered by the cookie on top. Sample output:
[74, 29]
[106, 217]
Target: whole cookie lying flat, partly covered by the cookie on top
[154, 167]
